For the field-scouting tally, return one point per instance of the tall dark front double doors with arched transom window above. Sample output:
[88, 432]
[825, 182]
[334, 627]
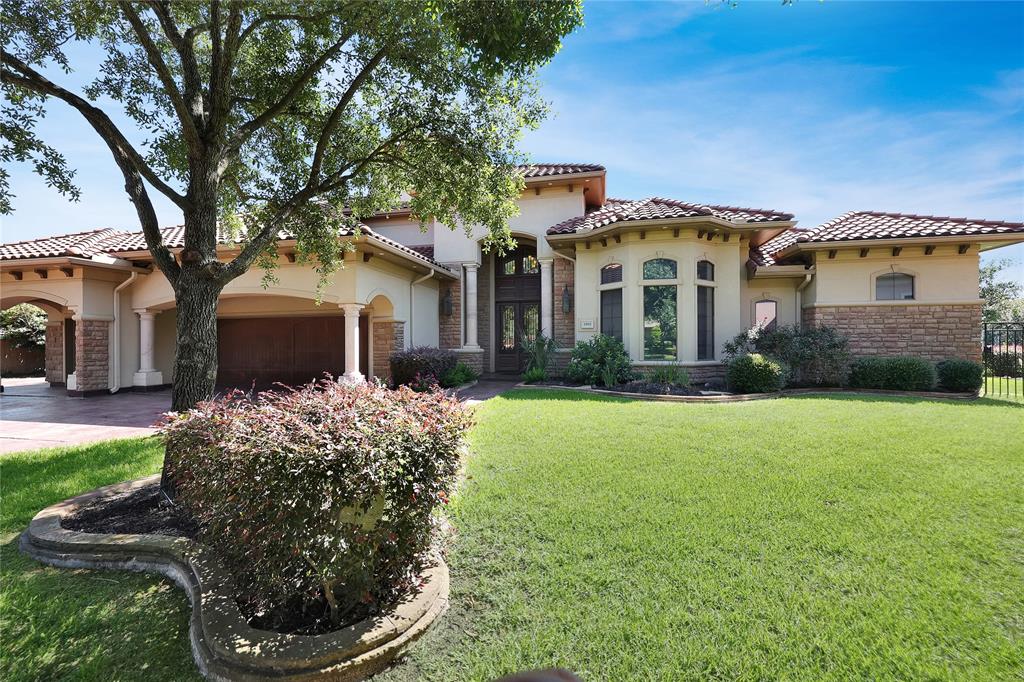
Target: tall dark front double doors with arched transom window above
[518, 306]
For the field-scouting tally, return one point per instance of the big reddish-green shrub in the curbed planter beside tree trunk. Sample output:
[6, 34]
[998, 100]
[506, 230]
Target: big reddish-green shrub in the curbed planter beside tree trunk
[322, 498]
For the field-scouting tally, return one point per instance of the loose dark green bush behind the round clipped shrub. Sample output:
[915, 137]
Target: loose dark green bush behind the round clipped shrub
[816, 356]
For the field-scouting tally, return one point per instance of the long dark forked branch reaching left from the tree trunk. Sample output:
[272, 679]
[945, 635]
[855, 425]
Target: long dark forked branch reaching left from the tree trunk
[133, 166]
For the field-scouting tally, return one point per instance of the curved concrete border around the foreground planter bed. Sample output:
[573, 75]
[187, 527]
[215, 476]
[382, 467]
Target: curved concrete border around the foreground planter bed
[225, 647]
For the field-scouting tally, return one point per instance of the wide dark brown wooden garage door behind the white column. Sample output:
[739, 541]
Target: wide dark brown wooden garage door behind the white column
[264, 352]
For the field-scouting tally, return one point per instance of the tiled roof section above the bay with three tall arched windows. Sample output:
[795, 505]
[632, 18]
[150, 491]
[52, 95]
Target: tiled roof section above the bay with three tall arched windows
[656, 208]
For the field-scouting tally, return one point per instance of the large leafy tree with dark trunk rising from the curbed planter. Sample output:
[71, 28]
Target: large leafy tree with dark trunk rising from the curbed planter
[291, 115]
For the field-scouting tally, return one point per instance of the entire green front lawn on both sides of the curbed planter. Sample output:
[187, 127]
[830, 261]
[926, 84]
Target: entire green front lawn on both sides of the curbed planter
[814, 538]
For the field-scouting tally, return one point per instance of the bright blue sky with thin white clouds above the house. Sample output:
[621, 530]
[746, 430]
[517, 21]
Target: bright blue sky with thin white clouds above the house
[818, 109]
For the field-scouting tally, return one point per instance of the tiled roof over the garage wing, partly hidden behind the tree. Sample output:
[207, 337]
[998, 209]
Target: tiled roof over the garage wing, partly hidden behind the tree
[114, 242]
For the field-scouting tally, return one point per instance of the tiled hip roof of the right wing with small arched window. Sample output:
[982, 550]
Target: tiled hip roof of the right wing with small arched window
[876, 226]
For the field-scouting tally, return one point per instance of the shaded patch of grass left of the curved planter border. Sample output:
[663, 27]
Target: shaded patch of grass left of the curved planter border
[83, 625]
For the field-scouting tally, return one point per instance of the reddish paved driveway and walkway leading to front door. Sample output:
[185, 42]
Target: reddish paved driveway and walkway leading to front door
[34, 416]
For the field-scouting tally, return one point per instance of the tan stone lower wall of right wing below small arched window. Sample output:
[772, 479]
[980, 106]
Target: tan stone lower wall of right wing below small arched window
[932, 332]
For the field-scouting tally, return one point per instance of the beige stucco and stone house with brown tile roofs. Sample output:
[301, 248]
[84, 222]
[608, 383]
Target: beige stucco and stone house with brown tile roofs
[673, 280]
